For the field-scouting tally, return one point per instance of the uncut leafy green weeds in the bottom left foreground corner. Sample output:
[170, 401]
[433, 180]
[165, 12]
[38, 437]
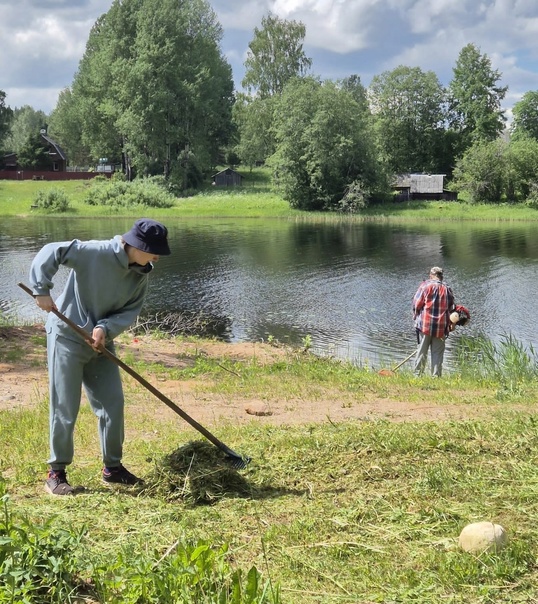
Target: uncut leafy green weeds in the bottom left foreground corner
[47, 564]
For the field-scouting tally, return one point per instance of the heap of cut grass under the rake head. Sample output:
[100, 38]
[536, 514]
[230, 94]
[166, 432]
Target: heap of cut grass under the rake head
[196, 473]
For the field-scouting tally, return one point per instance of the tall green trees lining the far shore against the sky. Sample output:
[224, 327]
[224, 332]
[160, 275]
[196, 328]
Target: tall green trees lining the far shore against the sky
[154, 93]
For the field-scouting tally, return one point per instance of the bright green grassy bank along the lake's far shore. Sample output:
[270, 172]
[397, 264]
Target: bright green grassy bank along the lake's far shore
[252, 200]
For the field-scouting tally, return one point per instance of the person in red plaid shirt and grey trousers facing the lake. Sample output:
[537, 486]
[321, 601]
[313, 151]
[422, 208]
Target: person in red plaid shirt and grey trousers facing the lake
[432, 305]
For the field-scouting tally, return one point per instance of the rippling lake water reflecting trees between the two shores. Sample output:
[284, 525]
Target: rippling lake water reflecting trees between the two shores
[344, 284]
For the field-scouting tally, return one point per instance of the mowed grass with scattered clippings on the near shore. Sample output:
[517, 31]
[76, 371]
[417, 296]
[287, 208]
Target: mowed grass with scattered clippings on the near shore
[358, 511]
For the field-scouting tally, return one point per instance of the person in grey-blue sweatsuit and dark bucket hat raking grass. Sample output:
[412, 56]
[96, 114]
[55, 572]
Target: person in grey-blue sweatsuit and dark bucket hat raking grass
[104, 293]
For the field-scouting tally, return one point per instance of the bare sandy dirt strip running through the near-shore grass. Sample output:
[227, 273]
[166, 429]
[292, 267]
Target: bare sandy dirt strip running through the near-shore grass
[23, 382]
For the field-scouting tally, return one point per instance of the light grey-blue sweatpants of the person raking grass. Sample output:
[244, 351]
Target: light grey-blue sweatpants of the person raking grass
[73, 365]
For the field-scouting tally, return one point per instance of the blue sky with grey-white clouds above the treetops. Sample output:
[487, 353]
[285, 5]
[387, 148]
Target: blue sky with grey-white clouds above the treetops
[42, 41]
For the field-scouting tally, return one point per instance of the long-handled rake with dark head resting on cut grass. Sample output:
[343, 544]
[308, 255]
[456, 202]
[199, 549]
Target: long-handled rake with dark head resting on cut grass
[238, 461]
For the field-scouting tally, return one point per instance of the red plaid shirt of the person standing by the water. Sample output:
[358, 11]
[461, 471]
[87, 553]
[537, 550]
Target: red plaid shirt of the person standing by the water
[432, 306]
